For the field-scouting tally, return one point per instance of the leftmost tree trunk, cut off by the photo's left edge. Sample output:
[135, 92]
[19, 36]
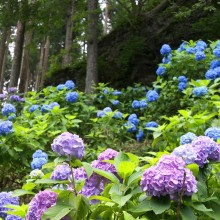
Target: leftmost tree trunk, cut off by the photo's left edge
[3, 54]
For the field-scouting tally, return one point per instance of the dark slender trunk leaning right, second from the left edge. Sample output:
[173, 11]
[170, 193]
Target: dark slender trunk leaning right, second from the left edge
[16, 64]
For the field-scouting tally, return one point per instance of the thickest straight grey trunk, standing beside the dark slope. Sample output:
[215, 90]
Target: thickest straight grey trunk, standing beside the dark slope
[92, 46]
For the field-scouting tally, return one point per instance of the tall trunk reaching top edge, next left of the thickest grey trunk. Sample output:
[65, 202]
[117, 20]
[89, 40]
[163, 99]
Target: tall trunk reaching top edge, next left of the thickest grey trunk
[67, 58]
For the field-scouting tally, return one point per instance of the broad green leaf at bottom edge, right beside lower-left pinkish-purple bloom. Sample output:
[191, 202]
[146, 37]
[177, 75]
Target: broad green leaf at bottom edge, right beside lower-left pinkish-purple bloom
[56, 212]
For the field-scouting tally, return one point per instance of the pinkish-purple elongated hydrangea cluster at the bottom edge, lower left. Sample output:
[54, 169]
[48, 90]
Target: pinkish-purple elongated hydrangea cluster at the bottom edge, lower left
[40, 203]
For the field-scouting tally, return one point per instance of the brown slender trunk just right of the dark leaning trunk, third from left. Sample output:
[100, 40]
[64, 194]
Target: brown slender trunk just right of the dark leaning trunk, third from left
[25, 62]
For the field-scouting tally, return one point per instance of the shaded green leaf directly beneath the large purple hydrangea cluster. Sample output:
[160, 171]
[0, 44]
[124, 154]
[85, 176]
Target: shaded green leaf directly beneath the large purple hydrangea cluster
[160, 205]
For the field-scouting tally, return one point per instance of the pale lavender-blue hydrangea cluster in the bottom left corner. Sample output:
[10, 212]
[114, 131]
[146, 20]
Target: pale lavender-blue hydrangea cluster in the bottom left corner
[6, 199]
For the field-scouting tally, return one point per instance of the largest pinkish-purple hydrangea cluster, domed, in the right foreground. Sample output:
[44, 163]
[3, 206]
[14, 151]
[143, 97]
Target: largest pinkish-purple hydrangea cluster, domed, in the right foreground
[166, 178]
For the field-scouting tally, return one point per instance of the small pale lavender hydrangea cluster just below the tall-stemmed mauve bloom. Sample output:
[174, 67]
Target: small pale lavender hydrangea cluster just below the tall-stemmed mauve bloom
[61, 172]
